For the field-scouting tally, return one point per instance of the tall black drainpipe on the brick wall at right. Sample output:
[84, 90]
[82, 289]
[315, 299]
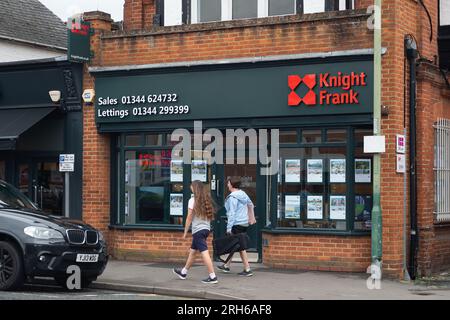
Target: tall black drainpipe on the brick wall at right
[412, 54]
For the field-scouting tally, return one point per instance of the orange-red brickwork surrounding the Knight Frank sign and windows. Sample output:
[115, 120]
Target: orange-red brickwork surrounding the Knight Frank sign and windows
[322, 32]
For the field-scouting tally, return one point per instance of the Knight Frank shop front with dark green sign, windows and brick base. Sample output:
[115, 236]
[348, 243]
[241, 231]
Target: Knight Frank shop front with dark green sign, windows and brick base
[321, 194]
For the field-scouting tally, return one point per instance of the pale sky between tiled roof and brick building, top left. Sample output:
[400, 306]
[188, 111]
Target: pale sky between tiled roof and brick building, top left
[67, 8]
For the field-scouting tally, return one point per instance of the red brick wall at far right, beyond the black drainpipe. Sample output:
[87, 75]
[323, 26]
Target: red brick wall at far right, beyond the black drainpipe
[433, 102]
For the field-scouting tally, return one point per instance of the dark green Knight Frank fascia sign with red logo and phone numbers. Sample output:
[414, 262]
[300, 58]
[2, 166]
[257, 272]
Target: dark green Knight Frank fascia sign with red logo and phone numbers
[263, 89]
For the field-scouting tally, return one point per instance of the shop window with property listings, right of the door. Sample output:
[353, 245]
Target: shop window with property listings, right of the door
[323, 179]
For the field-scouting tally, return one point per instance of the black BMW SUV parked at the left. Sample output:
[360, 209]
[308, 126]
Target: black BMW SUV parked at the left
[35, 244]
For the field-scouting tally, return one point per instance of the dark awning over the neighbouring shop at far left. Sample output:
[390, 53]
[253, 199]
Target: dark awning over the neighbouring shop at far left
[14, 122]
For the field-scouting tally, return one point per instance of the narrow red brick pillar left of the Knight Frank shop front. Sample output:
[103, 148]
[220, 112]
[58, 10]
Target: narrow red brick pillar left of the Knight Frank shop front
[96, 147]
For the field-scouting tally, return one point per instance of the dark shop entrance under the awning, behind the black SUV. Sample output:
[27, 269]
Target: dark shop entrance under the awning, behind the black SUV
[41, 181]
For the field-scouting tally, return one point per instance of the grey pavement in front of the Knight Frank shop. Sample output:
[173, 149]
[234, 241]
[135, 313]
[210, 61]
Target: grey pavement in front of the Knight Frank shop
[265, 284]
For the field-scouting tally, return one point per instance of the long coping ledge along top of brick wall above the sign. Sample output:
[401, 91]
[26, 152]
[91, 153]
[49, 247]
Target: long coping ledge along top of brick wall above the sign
[240, 23]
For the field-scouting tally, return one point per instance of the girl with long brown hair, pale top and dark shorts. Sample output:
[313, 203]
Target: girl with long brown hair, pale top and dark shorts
[200, 214]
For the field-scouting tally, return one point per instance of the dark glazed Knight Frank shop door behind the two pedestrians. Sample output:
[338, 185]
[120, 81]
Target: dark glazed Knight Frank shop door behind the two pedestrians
[248, 175]
